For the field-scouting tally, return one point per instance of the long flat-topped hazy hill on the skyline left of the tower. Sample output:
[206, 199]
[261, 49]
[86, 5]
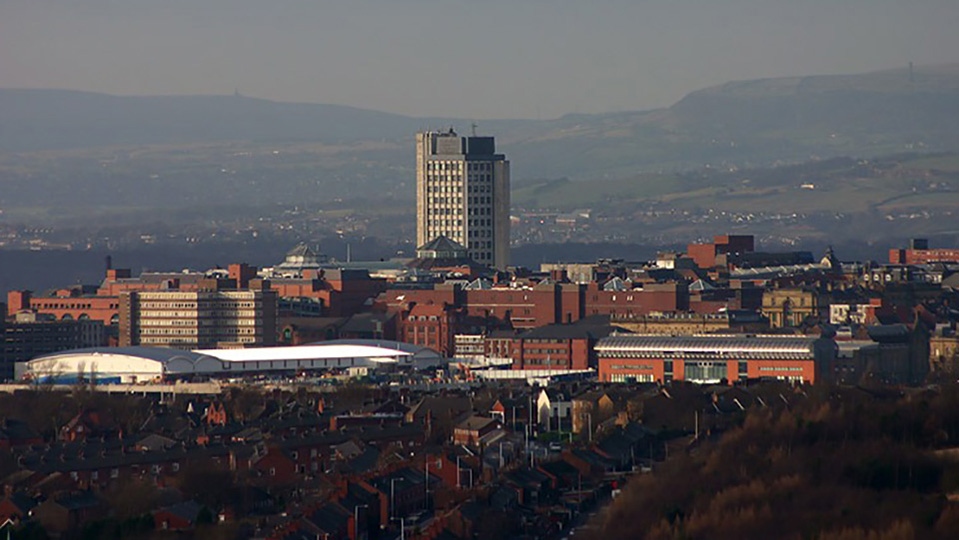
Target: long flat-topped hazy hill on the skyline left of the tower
[64, 119]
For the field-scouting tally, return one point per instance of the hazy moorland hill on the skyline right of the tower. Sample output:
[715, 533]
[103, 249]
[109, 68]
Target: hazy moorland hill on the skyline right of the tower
[759, 123]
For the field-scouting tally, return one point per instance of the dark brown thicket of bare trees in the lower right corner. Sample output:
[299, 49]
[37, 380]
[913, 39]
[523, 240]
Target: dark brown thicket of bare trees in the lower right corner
[838, 464]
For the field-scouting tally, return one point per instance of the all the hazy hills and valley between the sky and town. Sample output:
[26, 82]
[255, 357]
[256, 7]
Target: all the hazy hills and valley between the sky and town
[855, 161]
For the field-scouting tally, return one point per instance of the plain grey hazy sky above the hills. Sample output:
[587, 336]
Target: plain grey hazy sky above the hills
[465, 58]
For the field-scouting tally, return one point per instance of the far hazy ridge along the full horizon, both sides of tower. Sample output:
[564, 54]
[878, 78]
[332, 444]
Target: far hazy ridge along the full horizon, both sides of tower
[746, 123]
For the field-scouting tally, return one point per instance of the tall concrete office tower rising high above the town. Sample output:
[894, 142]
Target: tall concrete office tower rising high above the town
[462, 192]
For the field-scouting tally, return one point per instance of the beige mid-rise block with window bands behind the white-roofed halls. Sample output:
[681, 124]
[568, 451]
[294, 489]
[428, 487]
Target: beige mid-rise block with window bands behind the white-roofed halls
[202, 319]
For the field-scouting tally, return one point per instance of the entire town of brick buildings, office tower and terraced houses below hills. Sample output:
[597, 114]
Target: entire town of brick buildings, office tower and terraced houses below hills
[450, 395]
